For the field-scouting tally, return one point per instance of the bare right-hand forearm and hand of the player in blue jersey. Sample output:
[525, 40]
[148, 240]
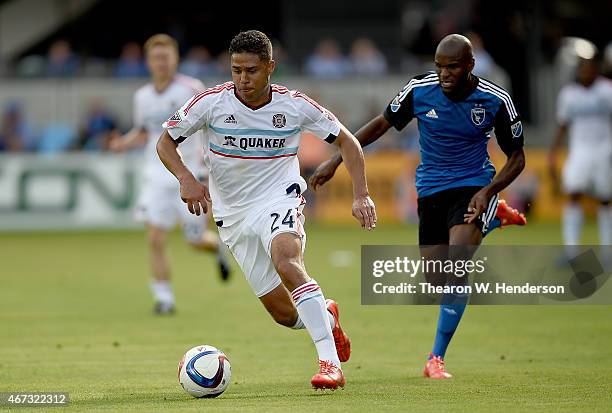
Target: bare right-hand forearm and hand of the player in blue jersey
[479, 202]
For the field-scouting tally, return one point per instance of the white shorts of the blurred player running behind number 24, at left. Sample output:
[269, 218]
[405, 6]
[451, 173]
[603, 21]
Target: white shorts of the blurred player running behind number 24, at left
[161, 206]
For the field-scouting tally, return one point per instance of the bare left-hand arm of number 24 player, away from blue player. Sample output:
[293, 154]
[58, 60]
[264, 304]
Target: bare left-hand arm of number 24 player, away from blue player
[193, 192]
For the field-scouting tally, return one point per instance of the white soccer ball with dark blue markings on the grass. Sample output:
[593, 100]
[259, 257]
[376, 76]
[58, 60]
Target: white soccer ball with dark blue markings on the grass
[204, 371]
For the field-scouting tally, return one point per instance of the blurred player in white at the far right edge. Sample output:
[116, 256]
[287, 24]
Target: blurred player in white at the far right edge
[584, 112]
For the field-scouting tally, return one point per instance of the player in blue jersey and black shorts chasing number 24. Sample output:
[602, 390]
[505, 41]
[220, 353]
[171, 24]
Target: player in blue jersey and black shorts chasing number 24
[456, 182]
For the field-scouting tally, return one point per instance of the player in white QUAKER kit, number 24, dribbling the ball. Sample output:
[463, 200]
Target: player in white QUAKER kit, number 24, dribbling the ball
[253, 129]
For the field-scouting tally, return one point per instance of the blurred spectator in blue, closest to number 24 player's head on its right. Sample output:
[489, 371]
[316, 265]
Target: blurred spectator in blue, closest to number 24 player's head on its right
[327, 61]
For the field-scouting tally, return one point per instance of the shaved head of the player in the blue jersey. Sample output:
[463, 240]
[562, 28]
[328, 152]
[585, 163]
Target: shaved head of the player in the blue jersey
[454, 62]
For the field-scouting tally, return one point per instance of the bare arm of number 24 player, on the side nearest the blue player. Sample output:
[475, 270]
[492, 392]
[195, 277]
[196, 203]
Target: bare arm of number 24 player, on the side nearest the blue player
[363, 206]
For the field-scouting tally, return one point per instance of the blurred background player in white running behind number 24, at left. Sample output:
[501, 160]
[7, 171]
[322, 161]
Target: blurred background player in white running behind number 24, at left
[159, 204]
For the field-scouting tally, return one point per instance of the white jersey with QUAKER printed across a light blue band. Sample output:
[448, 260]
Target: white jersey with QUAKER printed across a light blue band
[252, 152]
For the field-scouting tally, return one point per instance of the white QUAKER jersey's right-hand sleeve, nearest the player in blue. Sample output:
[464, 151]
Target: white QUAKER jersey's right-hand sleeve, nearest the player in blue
[315, 118]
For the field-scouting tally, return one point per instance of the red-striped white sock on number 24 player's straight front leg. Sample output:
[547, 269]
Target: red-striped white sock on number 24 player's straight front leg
[312, 310]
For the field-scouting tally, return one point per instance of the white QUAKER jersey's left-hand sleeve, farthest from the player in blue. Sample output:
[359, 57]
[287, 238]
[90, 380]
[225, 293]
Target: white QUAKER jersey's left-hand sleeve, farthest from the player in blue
[190, 118]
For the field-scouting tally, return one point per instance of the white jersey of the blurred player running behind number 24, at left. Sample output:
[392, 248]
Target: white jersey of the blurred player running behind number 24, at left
[151, 109]
